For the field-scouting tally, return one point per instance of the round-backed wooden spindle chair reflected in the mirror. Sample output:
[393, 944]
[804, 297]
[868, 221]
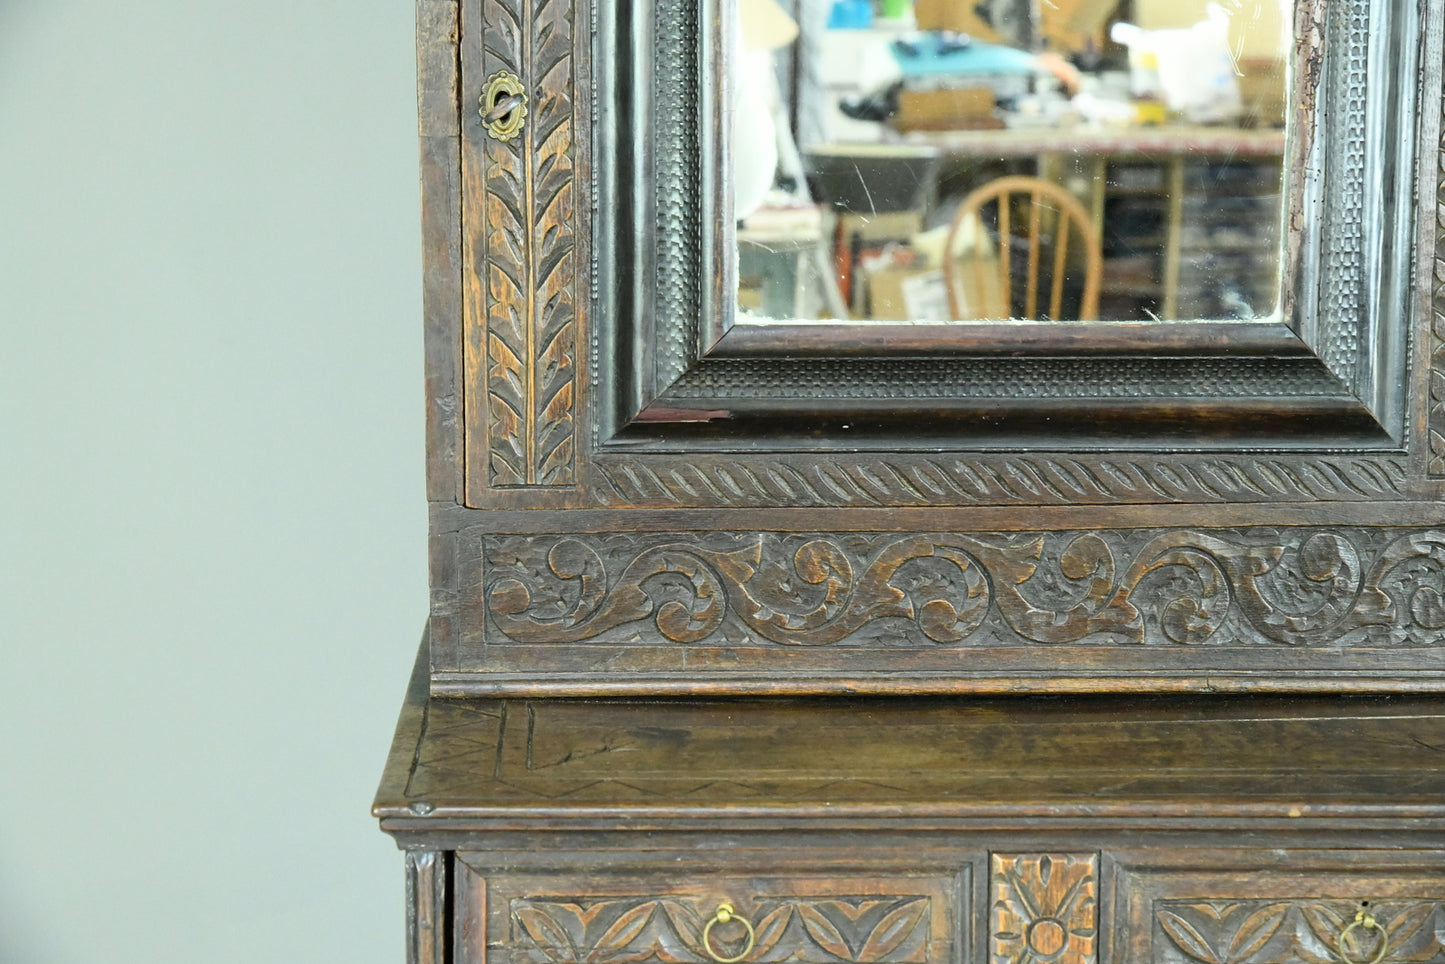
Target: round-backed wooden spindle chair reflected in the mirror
[1035, 220]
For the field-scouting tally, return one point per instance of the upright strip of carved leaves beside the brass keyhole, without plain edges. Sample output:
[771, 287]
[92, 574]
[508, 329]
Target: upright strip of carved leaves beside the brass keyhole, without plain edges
[530, 241]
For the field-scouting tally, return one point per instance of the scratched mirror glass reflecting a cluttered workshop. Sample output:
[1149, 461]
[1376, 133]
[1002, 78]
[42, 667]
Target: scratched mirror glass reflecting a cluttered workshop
[940, 161]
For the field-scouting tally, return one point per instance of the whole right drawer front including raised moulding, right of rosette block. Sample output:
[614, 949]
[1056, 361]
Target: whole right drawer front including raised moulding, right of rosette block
[1359, 911]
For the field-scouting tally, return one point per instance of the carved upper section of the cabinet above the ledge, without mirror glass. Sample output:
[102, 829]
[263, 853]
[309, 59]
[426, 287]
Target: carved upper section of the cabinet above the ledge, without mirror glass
[631, 496]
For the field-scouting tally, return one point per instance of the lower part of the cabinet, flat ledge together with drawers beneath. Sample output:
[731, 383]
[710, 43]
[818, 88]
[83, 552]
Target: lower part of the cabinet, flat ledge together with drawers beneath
[869, 832]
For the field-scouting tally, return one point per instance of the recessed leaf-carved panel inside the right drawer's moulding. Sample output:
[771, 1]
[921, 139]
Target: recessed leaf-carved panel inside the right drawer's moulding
[1295, 931]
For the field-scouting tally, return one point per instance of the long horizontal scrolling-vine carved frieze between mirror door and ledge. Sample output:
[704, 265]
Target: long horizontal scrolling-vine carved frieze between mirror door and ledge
[1284, 588]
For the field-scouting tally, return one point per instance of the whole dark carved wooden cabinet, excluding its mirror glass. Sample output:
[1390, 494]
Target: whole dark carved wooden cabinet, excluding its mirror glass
[1079, 644]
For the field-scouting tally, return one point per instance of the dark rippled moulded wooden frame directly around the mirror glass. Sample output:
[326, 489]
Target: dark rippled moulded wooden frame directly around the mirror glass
[690, 381]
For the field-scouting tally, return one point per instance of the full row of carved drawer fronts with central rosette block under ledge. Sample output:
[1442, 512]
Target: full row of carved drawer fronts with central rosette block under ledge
[1129, 907]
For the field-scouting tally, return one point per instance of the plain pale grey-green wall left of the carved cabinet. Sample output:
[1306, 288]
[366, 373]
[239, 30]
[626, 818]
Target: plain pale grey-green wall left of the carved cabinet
[212, 505]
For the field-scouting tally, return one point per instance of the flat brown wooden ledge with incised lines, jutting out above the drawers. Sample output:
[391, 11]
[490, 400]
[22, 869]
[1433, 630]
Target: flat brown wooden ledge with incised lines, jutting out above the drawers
[1144, 762]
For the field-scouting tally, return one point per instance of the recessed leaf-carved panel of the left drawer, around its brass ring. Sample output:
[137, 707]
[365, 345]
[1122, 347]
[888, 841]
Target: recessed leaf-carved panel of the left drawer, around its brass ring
[631, 930]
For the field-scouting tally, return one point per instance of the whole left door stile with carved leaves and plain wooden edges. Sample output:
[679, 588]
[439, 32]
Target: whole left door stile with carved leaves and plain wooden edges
[522, 281]
